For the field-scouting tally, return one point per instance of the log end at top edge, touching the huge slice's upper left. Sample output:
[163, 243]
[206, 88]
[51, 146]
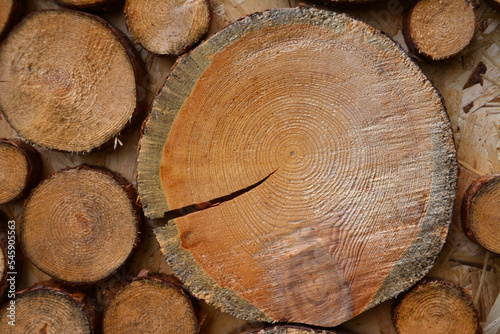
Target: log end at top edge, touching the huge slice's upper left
[167, 26]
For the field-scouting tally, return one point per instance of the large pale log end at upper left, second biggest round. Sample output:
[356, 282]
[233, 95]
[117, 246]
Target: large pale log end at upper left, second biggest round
[72, 87]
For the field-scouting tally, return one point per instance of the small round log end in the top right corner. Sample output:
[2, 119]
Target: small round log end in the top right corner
[439, 29]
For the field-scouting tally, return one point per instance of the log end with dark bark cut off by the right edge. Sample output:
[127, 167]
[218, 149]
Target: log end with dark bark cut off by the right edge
[481, 212]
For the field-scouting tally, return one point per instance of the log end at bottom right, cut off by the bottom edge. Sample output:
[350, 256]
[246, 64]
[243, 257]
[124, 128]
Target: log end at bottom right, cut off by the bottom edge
[436, 307]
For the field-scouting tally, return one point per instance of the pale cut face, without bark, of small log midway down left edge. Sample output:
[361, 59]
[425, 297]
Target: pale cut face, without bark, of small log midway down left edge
[13, 172]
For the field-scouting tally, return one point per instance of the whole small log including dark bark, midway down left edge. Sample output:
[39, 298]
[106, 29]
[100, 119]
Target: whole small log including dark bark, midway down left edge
[20, 168]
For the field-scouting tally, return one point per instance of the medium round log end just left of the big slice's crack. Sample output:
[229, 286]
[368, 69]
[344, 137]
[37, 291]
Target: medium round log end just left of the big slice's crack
[79, 225]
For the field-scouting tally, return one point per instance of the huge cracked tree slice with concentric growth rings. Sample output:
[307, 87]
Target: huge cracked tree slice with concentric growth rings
[330, 158]
